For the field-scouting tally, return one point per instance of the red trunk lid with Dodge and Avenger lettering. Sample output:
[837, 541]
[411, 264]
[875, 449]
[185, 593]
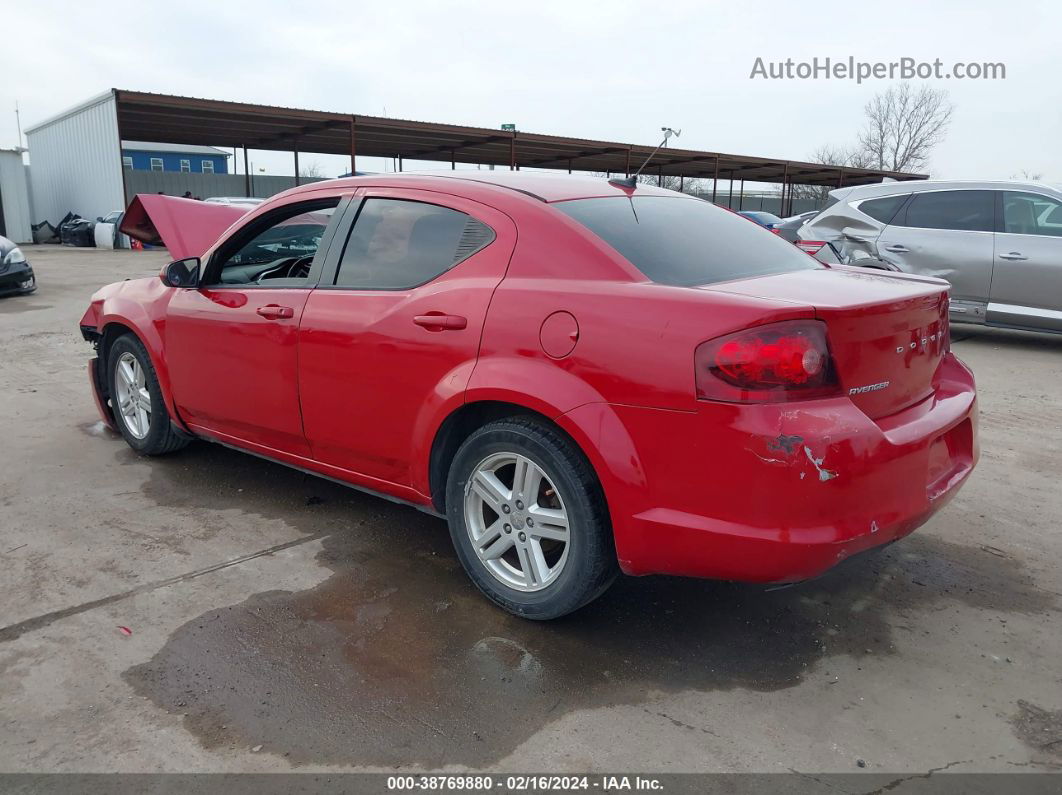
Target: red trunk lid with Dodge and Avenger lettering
[887, 333]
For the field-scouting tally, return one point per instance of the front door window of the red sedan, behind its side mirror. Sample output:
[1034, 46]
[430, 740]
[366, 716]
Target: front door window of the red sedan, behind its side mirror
[280, 246]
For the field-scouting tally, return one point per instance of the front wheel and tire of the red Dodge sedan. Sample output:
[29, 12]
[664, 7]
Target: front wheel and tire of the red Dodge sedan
[149, 433]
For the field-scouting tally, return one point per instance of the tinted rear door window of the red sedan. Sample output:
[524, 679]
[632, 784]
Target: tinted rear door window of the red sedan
[397, 245]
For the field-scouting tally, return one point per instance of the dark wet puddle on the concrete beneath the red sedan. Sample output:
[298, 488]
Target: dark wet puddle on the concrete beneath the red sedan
[397, 659]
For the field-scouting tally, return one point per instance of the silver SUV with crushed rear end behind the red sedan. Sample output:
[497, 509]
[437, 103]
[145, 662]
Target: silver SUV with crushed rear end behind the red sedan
[1000, 244]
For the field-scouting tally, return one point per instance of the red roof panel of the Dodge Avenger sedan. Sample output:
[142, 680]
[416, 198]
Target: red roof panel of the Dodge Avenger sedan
[545, 187]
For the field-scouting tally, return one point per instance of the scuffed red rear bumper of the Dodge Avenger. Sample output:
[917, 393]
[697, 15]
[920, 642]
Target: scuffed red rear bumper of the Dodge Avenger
[782, 493]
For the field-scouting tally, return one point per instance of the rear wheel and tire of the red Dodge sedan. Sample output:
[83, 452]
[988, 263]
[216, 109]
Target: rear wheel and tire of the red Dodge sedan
[528, 569]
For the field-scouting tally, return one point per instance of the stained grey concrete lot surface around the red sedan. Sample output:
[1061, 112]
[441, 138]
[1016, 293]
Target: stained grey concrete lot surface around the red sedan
[283, 621]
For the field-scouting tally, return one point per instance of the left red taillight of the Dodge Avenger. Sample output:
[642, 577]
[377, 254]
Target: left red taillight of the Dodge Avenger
[767, 365]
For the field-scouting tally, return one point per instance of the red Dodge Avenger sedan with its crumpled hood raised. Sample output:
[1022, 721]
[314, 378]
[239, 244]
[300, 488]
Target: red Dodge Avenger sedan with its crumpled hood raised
[583, 377]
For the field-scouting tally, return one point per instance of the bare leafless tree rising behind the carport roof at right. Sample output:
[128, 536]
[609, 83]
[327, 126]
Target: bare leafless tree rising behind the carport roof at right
[903, 127]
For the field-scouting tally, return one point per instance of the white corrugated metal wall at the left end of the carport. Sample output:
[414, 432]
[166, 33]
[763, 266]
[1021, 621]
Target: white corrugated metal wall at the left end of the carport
[76, 164]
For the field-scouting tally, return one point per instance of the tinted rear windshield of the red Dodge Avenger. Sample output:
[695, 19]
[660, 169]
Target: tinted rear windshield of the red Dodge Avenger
[686, 241]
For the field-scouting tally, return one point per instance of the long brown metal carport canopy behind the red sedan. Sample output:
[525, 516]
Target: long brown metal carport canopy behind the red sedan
[167, 119]
